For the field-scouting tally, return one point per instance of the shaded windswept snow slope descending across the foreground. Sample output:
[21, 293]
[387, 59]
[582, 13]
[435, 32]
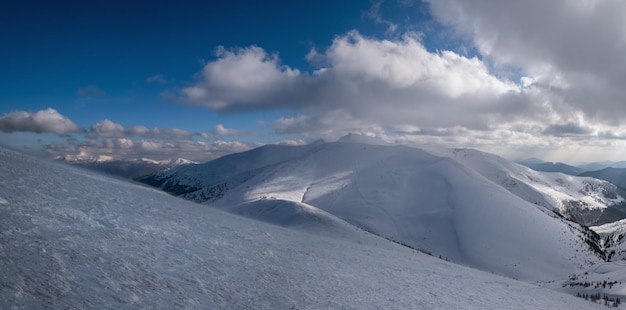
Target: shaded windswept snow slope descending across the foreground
[73, 239]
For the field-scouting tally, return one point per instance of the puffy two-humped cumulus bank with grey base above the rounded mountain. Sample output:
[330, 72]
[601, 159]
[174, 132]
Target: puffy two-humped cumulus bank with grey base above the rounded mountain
[380, 82]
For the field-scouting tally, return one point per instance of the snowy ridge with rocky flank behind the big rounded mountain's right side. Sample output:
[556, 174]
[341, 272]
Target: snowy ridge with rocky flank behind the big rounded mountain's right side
[585, 200]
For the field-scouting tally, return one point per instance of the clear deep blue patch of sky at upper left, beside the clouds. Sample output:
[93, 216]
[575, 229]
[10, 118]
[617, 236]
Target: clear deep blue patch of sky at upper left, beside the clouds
[114, 47]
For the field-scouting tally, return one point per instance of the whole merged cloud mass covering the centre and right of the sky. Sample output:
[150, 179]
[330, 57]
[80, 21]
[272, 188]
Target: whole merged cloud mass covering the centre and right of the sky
[562, 89]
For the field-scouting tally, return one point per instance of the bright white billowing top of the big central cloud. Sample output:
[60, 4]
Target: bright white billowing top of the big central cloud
[406, 64]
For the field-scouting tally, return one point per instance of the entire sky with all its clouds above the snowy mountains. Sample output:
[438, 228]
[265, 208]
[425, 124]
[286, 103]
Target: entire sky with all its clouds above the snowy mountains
[202, 79]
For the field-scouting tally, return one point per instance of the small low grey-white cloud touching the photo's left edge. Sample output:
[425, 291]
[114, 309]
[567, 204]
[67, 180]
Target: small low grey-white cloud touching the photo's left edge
[48, 120]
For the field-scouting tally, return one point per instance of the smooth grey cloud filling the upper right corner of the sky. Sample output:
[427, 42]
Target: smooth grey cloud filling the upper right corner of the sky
[579, 44]
